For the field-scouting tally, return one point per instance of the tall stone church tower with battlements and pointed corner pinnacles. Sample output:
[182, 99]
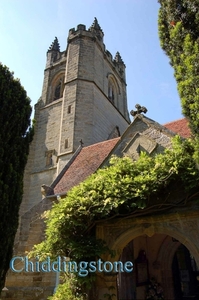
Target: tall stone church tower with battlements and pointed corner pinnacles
[83, 98]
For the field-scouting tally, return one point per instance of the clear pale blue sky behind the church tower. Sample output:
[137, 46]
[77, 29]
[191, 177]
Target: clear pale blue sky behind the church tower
[28, 27]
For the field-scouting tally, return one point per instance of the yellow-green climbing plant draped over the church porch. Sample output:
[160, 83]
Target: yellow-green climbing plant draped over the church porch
[124, 189]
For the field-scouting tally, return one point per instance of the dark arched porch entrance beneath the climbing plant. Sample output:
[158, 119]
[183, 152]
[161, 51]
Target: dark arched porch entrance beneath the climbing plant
[165, 263]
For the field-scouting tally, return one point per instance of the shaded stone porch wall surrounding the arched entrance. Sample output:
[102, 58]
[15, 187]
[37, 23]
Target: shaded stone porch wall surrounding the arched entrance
[182, 226]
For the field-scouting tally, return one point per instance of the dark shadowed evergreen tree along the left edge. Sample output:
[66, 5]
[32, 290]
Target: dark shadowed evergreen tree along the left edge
[15, 137]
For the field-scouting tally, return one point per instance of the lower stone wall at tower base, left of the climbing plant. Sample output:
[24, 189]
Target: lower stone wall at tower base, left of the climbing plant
[29, 285]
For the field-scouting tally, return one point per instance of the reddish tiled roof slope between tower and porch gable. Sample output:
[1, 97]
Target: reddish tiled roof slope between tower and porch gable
[86, 163]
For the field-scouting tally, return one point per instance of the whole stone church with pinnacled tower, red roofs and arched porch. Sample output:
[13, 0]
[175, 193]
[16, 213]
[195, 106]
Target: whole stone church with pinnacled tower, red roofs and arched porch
[81, 121]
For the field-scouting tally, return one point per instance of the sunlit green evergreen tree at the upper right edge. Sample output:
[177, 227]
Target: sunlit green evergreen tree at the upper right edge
[178, 32]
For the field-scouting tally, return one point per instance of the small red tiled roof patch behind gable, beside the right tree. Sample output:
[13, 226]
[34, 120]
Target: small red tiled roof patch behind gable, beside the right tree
[179, 126]
